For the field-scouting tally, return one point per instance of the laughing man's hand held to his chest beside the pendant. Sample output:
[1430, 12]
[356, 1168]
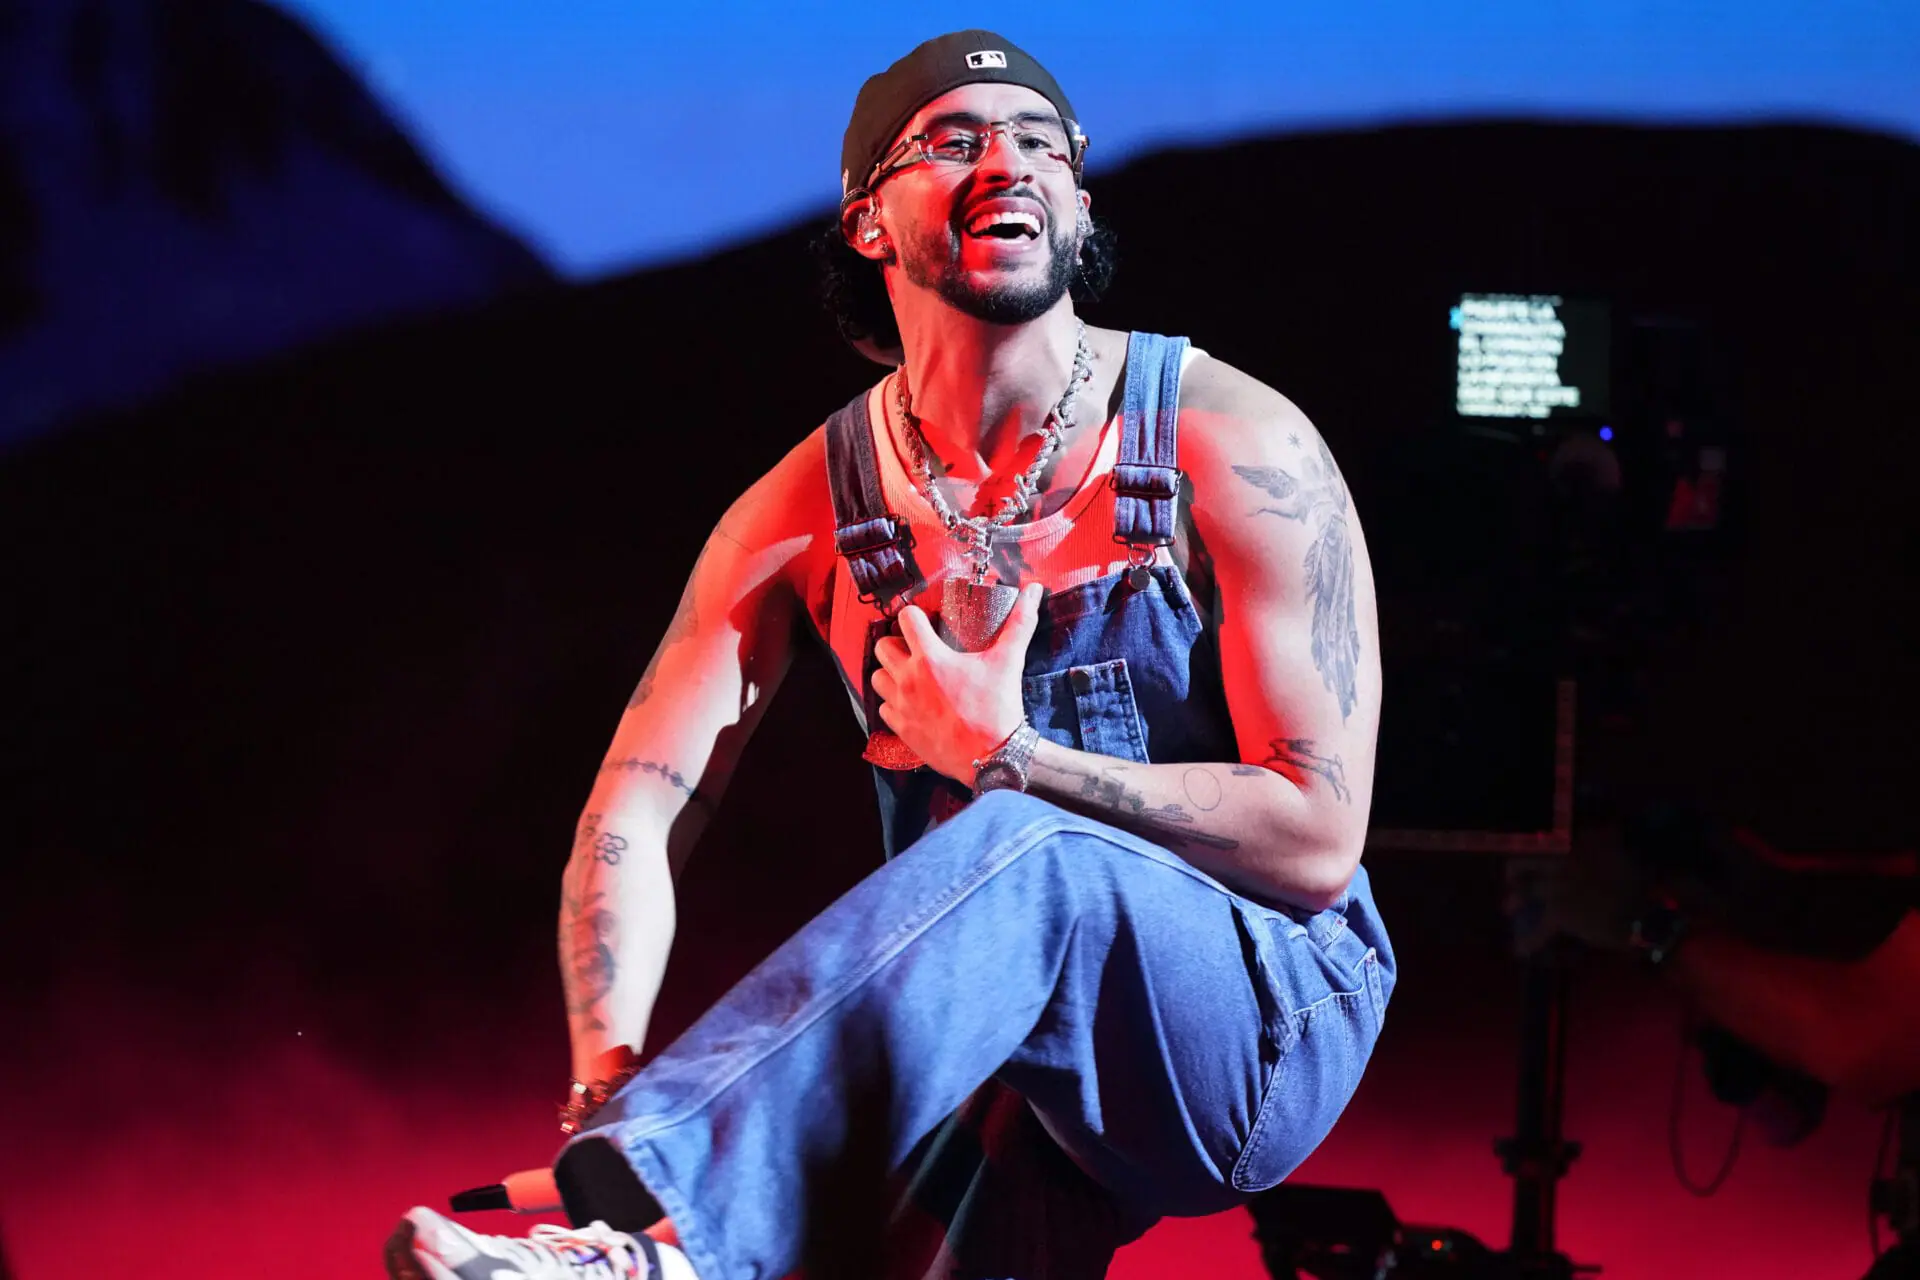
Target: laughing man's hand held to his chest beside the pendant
[953, 707]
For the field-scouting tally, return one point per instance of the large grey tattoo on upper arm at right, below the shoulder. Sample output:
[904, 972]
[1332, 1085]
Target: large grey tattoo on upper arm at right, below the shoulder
[1322, 504]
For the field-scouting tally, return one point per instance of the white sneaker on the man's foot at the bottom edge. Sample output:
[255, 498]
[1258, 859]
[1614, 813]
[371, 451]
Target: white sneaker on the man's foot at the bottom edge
[427, 1246]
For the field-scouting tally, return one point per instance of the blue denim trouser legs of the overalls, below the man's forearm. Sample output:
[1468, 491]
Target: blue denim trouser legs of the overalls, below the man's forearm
[1178, 1043]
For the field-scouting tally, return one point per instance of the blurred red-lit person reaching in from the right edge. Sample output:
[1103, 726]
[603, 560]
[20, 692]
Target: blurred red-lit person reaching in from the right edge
[1802, 974]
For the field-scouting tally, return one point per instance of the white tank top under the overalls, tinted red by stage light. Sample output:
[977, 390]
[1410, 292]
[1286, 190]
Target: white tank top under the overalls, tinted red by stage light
[1061, 550]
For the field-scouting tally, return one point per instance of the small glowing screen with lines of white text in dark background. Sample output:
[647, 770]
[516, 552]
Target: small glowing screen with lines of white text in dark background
[1531, 356]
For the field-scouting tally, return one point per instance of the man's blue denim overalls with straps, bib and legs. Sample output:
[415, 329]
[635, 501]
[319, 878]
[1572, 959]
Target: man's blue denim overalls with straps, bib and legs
[1047, 1031]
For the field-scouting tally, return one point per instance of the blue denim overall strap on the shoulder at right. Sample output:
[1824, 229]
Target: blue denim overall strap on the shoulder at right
[1147, 475]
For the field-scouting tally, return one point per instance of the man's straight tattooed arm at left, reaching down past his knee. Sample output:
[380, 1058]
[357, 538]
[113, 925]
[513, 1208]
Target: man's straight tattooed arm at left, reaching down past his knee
[679, 742]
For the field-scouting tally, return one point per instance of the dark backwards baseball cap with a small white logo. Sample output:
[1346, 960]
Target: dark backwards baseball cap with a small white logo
[888, 101]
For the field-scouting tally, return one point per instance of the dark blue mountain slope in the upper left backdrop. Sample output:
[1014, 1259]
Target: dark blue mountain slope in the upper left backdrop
[195, 183]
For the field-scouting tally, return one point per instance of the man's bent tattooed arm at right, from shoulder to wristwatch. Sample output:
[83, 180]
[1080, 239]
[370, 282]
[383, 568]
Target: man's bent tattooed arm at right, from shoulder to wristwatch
[1299, 657]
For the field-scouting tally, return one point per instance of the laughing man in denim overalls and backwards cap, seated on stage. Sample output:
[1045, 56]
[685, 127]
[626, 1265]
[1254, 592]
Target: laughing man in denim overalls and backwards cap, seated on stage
[1122, 960]
